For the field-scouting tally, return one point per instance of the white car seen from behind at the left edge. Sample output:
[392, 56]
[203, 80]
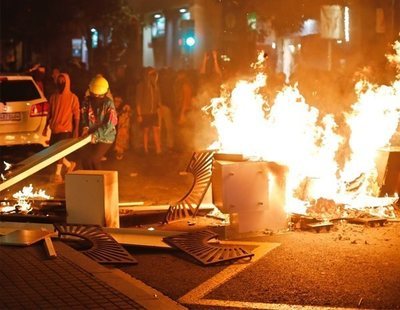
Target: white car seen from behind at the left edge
[23, 112]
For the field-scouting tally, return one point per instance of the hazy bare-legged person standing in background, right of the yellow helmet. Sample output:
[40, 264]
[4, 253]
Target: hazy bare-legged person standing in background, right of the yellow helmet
[148, 101]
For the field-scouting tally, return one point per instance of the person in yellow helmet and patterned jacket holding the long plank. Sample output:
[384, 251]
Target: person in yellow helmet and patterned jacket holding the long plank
[98, 119]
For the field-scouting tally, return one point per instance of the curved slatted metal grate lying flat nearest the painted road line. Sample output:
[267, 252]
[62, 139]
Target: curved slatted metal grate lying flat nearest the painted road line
[196, 245]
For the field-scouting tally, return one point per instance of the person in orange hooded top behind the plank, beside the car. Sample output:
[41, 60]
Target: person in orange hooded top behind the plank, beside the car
[63, 120]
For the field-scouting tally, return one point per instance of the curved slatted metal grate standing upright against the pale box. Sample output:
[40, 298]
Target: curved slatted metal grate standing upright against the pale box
[200, 166]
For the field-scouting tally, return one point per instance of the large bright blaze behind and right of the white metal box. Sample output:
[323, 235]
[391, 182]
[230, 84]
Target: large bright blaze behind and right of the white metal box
[292, 133]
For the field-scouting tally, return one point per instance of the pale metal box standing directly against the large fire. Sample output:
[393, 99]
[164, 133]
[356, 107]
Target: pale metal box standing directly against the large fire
[252, 192]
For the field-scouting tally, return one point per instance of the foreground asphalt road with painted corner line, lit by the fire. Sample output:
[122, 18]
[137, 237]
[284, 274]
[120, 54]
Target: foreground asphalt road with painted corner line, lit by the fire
[351, 266]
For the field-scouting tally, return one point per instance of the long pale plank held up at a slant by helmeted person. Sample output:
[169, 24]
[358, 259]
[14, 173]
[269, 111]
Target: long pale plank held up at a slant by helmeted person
[42, 159]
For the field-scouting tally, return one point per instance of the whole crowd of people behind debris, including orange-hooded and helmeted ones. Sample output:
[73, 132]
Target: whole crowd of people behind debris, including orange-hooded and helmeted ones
[154, 114]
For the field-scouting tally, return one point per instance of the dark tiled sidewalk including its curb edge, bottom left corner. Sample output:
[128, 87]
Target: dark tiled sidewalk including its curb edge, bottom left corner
[30, 280]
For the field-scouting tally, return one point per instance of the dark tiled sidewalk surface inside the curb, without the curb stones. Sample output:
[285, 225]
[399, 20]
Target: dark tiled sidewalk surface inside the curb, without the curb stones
[28, 279]
